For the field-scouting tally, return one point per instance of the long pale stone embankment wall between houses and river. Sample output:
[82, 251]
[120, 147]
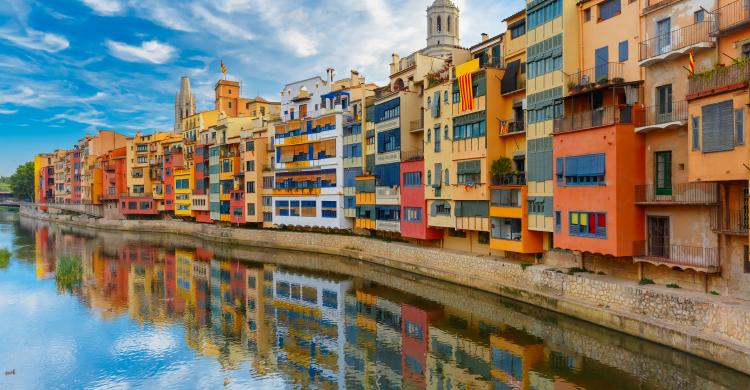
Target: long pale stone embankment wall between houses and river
[714, 328]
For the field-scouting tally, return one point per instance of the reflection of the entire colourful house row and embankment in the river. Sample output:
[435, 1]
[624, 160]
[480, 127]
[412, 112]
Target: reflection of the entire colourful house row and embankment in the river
[283, 316]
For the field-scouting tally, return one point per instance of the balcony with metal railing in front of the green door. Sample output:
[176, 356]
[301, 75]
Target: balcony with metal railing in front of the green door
[681, 194]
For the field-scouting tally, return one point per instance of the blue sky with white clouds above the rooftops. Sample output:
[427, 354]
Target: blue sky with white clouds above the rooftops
[71, 67]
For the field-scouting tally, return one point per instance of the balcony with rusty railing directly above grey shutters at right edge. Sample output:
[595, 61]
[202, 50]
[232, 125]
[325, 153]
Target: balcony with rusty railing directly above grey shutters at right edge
[719, 80]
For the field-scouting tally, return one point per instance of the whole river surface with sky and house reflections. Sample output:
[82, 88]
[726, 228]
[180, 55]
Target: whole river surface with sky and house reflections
[90, 309]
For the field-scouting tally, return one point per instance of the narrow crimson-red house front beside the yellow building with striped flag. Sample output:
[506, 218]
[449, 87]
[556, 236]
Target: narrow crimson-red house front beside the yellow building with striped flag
[413, 203]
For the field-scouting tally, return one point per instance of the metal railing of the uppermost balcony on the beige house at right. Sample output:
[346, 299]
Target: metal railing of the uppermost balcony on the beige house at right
[676, 39]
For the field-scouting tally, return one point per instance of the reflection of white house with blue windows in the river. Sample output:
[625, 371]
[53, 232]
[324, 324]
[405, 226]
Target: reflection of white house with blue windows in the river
[310, 328]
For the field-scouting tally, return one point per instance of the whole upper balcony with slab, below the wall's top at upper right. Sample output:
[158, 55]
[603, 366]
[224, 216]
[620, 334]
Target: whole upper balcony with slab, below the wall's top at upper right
[676, 43]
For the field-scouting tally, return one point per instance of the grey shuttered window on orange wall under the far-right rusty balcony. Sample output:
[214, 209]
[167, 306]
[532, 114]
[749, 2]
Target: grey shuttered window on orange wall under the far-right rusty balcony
[718, 127]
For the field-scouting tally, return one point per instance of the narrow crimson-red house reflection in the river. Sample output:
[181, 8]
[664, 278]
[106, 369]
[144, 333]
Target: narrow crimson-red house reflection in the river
[414, 340]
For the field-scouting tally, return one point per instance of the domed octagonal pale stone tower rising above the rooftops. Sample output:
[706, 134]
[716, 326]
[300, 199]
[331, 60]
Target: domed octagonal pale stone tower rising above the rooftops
[442, 28]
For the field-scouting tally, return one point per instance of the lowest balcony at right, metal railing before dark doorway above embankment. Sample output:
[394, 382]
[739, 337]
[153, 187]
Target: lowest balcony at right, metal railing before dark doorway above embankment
[685, 257]
